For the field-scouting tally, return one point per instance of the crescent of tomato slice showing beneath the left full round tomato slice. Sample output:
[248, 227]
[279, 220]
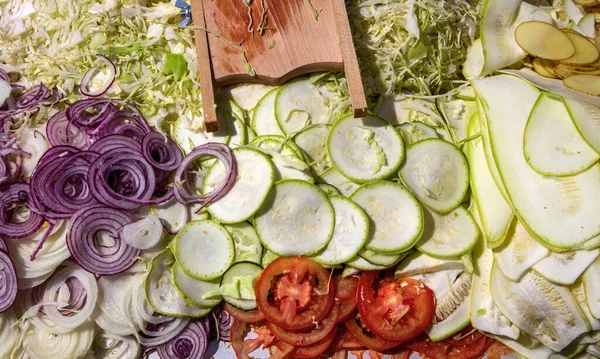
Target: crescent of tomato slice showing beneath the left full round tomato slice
[306, 338]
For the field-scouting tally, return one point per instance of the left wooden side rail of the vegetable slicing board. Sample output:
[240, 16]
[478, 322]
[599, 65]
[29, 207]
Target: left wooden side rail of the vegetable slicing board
[206, 77]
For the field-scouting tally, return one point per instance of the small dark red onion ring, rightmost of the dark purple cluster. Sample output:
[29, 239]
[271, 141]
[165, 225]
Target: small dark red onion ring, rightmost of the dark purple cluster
[161, 152]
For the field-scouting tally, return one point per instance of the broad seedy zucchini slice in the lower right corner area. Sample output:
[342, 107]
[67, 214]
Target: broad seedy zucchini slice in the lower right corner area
[545, 311]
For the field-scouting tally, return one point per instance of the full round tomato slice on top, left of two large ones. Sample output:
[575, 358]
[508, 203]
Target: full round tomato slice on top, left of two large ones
[294, 292]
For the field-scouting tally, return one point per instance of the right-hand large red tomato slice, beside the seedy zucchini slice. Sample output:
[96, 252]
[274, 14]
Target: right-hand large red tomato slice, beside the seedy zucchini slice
[397, 310]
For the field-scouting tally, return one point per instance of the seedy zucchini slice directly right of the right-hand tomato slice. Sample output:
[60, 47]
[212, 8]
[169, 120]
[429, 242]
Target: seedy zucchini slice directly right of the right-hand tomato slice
[452, 311]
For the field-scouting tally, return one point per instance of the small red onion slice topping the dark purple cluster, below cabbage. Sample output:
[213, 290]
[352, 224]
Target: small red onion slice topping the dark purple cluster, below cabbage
[101, 110]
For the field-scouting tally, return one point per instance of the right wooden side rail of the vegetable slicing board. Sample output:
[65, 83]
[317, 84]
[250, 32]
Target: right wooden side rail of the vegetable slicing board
[351, 69]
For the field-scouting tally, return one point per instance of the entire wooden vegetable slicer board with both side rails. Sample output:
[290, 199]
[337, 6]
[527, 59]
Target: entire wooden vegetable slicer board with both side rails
[293, 43]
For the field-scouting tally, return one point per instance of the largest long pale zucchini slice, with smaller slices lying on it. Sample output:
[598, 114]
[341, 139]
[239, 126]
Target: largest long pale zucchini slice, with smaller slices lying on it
[562, 212]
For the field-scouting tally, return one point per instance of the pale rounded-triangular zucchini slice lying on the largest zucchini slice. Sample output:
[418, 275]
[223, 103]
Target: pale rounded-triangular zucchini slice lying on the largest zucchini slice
[551, 143]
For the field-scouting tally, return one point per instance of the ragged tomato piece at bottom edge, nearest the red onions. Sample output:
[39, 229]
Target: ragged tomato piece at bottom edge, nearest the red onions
[242, 346]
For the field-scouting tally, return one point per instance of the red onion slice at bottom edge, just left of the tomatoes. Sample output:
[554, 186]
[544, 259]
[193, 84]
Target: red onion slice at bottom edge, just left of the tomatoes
[190, 343]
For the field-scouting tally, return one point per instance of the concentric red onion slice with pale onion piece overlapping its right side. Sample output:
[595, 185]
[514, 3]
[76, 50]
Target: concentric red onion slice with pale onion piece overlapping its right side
[82, 240]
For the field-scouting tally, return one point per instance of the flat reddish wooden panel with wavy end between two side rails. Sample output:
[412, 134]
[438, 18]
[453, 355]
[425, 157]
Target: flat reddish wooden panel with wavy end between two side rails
[294, 43]
